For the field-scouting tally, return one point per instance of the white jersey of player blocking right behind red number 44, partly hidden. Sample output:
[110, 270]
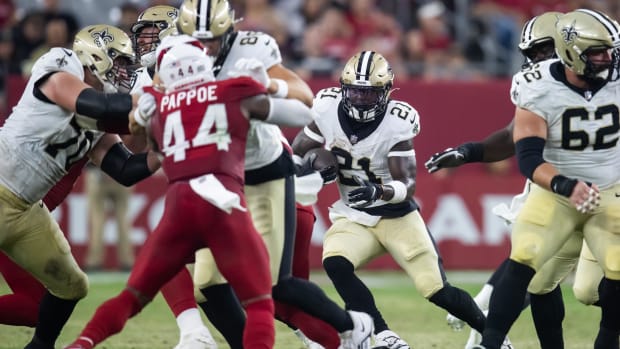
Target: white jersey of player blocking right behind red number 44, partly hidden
[264, 143]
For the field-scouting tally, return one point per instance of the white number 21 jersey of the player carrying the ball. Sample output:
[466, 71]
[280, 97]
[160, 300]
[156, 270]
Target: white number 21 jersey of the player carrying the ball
[366, 158]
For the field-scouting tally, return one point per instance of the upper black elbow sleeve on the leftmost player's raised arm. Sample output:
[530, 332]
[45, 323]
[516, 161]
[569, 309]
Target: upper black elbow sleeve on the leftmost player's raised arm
[111, 110]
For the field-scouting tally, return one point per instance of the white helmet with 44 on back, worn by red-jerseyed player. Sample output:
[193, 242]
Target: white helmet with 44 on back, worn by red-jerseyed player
[184, 66]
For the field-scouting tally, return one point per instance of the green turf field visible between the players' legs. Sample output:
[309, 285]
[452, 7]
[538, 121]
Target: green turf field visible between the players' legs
[416, 320]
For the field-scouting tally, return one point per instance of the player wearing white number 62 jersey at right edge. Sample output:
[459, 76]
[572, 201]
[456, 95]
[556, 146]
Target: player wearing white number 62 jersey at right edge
[575, 180]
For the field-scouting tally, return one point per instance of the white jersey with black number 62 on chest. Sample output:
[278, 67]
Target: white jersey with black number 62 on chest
[582, 129]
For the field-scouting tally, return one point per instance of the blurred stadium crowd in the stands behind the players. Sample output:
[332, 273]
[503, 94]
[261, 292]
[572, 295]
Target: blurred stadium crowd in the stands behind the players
[424, 39]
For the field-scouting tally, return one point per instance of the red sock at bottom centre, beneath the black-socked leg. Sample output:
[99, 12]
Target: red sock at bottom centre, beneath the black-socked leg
[315, 329]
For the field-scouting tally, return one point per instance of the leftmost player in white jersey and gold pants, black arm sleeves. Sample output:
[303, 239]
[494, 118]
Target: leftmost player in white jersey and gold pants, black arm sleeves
[53, 126]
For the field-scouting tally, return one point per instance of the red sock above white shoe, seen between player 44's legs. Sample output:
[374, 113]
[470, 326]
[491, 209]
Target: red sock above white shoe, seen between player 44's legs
[179, 293]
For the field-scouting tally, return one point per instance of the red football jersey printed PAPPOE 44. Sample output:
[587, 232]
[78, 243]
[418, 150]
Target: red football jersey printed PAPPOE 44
[202, 130]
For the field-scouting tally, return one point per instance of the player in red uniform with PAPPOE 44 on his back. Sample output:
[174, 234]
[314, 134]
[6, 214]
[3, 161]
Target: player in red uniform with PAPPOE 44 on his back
[205, 203]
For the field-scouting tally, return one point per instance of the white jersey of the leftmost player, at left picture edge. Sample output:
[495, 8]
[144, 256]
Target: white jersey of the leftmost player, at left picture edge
[40, 140]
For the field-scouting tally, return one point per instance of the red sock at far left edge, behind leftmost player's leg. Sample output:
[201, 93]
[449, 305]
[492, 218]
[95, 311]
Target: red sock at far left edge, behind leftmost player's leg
[18, 310]
